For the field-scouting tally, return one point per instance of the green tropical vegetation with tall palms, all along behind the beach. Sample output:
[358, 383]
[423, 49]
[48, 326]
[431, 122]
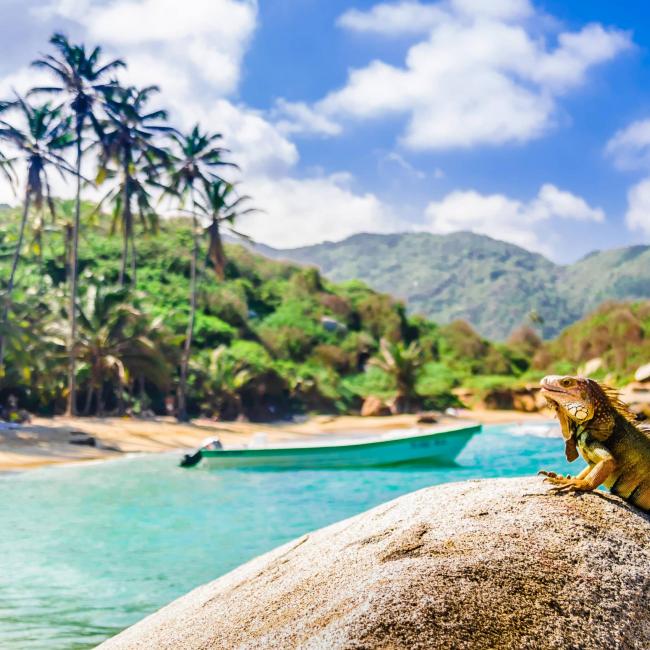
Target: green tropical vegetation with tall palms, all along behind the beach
[126, 299]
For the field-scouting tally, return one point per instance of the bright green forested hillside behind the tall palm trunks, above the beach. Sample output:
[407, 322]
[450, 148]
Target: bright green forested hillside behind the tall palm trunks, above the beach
[270, 339]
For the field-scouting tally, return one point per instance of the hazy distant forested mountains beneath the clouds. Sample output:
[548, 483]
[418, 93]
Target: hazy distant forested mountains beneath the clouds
[493, 285]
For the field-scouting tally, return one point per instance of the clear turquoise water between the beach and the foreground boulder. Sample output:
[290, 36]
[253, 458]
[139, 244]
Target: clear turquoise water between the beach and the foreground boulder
[87, 550]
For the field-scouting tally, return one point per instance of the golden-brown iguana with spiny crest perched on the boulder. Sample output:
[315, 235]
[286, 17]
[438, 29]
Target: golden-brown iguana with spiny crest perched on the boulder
[599, 425]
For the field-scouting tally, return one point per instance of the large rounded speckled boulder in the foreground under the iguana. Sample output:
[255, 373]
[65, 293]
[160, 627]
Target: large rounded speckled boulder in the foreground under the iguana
[481, 564]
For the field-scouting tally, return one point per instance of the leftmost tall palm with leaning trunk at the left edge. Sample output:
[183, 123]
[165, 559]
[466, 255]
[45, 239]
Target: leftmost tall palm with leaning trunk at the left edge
[41, 144]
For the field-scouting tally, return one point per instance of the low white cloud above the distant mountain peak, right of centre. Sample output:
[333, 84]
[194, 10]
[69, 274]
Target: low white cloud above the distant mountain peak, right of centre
[502, 217]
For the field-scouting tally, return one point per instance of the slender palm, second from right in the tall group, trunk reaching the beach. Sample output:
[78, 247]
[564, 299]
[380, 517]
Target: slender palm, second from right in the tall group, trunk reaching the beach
[193, 164]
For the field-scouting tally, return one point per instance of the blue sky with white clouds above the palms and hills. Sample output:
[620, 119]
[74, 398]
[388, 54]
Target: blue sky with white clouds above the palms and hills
[526, 121]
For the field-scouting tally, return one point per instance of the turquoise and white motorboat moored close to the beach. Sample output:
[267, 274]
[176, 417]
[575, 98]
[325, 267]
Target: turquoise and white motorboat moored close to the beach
[438, 446]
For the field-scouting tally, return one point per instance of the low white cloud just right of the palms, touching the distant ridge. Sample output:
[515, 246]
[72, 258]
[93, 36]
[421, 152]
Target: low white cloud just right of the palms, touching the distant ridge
[299, 212]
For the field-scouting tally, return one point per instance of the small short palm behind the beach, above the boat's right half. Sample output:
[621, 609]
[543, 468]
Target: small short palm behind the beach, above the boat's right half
[403, 364]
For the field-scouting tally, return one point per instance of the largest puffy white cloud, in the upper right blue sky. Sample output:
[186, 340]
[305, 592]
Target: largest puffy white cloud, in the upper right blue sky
[481, 77]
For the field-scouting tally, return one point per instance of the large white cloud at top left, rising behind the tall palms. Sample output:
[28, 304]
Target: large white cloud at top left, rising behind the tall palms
[194, 53]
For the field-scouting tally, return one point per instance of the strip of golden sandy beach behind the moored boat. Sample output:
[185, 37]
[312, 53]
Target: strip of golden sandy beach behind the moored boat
[45, 441]
